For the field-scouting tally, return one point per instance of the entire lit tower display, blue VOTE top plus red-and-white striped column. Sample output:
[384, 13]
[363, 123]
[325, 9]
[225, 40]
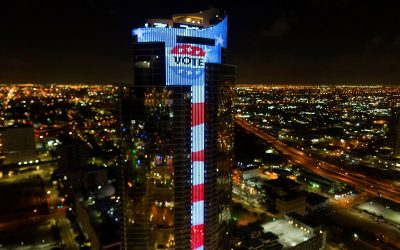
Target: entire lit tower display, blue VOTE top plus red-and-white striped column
[187, 50]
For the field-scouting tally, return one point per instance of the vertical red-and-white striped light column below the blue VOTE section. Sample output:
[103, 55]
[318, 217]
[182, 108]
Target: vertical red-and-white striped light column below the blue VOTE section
[197, 168]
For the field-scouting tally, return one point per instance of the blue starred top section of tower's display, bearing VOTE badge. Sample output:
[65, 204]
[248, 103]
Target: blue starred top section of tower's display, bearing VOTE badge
[185, 62]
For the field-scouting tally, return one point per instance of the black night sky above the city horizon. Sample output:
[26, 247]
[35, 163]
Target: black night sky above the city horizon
[299, 41]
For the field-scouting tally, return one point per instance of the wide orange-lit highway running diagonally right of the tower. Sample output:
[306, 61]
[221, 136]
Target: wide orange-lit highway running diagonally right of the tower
[372, 184]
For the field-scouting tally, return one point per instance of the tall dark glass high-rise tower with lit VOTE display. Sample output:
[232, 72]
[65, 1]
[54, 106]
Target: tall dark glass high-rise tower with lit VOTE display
[177, 135]
